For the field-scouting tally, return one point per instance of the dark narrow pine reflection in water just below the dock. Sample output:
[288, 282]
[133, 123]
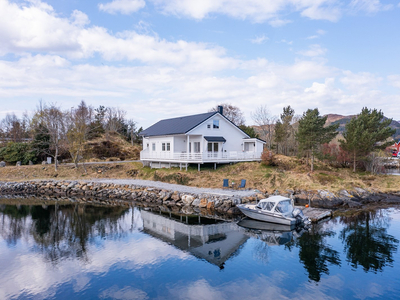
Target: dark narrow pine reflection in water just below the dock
[315, 253]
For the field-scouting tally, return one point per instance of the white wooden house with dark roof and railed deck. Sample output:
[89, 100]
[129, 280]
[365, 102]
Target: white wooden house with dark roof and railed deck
[197, 139]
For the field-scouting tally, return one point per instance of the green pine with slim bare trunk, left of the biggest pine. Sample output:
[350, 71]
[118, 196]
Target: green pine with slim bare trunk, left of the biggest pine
[312, 133]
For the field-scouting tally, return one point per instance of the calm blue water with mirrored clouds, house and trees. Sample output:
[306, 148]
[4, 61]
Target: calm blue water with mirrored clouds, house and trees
[84, 252]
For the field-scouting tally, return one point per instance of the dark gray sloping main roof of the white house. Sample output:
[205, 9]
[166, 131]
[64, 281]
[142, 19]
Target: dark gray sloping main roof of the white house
[179, 125]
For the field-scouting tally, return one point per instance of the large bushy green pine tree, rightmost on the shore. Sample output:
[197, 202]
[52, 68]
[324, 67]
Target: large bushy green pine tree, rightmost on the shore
[366, 133]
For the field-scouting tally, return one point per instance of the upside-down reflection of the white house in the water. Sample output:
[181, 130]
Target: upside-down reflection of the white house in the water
[213, 240]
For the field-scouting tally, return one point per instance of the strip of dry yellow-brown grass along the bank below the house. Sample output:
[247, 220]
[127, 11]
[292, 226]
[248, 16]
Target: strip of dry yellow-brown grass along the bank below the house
[290, 173]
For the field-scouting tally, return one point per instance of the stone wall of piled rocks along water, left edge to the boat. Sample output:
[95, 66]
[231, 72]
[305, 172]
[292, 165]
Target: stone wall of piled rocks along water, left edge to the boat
[114, 194]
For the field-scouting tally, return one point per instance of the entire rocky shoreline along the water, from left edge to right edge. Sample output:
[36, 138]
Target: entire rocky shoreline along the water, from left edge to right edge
[118, 194]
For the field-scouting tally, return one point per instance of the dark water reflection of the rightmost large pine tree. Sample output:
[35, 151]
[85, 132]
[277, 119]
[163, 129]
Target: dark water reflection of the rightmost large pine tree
[367, 242]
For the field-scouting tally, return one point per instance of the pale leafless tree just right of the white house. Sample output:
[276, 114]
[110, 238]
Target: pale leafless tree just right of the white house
[265, 122]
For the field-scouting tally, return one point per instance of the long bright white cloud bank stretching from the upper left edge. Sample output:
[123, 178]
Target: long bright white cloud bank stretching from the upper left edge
[35, 27]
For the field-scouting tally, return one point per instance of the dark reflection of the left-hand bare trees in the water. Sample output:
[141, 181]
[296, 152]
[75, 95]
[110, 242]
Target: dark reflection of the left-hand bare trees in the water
[60, 231]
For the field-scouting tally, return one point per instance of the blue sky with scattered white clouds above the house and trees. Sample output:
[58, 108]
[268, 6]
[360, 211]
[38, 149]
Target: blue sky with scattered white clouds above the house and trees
[160, 59]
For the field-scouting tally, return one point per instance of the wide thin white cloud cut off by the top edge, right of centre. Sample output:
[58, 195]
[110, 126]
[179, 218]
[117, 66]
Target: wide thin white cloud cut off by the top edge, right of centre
[254, 10]
